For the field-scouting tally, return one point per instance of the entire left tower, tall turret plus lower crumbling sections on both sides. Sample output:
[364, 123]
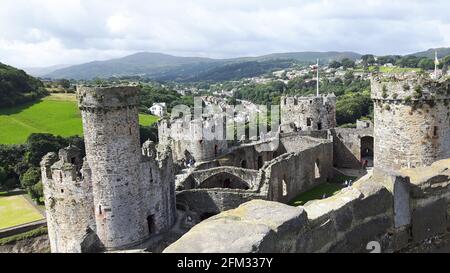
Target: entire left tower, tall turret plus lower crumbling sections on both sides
[123, 193]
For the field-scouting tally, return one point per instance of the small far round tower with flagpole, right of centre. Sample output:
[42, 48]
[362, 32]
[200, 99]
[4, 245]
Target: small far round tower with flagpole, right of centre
[308, 113]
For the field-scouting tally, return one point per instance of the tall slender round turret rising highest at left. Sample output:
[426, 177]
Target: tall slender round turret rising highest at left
[113, 152]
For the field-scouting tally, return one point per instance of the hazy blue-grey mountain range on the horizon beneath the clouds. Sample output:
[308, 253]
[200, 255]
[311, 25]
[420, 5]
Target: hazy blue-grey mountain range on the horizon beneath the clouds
[165, 67]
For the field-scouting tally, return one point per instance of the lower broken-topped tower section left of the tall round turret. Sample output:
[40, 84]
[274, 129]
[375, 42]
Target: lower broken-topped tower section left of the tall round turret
[68, 202]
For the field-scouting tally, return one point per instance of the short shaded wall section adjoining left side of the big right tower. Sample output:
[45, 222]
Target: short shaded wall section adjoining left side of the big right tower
[347, 146]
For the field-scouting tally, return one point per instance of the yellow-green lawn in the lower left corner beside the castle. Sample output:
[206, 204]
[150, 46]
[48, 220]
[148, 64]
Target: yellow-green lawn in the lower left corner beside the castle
[16, 210]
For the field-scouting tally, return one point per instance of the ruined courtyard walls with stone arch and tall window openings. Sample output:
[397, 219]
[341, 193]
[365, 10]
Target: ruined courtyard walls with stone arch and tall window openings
[308, 163]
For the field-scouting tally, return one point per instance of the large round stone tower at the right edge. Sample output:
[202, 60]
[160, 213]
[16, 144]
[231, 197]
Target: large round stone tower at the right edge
[412, 123]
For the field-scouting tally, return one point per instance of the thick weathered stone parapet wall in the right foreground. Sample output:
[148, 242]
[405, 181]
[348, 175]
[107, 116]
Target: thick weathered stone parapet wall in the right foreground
[395, 211]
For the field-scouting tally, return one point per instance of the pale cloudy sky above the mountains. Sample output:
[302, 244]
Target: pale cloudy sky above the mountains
[39, 33]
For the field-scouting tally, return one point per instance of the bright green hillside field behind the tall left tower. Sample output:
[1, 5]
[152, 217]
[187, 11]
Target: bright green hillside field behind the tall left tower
[57, 114]
